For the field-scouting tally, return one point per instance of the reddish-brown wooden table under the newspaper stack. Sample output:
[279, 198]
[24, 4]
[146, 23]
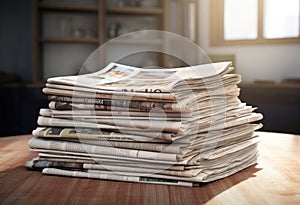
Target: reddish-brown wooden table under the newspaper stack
[274, 180]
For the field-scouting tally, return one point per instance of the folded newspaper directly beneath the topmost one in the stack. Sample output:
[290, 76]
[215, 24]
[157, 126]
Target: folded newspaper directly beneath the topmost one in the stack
[223, 86]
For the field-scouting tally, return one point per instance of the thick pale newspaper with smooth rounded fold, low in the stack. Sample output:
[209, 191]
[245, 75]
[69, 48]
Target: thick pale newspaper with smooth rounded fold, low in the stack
[39, 143]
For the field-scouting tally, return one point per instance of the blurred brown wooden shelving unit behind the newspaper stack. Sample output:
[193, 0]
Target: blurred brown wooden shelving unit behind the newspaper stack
[60, 30]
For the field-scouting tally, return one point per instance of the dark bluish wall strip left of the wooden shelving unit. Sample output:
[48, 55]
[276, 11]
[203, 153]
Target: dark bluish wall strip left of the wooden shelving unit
[15, 38]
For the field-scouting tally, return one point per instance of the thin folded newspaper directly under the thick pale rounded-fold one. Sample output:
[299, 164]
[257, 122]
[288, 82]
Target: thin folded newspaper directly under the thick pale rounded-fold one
[218, 158]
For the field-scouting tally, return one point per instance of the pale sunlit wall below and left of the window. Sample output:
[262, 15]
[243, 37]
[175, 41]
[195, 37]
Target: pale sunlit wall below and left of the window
[253, 62]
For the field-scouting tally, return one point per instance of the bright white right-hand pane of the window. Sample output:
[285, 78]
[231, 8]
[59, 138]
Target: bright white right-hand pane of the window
[281, 19]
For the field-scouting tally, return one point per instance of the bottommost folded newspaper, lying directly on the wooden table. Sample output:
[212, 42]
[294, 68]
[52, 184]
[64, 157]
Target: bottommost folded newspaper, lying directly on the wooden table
[202, 175]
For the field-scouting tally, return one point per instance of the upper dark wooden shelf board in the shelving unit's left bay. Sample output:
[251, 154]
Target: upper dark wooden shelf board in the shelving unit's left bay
[67, 7]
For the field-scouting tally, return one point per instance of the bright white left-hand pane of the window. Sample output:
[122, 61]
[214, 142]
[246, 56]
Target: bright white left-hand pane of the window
[240, 19]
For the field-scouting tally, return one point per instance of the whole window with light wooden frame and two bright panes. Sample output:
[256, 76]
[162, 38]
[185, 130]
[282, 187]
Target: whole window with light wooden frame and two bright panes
[254, 21]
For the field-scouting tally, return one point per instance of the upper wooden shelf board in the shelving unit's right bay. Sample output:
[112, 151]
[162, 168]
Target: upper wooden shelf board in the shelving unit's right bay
[134, 10]
